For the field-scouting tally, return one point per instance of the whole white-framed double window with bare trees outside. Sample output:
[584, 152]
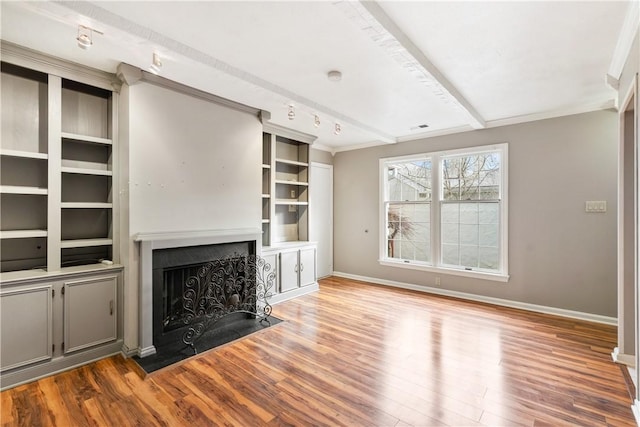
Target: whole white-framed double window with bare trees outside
[446, 211]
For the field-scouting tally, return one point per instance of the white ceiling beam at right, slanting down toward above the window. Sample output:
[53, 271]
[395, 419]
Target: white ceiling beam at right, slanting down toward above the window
[378, 15]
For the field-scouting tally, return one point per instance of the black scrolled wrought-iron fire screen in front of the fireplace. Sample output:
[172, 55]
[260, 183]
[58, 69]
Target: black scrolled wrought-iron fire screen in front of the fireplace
[233, 284]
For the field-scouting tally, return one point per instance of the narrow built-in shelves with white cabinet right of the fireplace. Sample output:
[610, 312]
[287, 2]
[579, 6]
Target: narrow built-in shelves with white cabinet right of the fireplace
[285, 211]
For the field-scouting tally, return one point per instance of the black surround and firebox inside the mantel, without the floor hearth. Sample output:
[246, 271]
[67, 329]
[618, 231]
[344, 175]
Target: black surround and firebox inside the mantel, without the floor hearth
[195, 286]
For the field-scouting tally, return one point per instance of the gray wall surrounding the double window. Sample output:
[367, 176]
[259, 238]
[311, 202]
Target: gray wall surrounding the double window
[559, 256]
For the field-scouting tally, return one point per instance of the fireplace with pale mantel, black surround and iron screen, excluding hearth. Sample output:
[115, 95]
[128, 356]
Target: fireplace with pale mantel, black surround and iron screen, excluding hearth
[189, 280]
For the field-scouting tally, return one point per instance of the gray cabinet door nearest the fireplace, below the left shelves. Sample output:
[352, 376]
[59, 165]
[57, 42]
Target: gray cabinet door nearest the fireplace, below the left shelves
[90, 312]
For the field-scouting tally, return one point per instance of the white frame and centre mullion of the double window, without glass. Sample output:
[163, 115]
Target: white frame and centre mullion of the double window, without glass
[435, 266]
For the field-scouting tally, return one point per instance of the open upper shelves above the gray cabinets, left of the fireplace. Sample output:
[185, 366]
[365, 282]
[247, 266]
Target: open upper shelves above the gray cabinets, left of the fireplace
[57, 171]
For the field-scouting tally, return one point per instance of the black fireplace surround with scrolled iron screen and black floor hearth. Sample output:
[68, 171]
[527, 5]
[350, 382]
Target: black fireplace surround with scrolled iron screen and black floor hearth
[204, 296]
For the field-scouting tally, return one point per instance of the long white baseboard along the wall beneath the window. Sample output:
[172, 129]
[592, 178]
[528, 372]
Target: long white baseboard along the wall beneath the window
[597, 318]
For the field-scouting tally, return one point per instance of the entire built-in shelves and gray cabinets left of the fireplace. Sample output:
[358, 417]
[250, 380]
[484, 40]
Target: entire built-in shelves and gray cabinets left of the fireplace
[60, 282]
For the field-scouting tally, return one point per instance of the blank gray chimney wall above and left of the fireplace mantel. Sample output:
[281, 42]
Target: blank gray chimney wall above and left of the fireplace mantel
[191, 165]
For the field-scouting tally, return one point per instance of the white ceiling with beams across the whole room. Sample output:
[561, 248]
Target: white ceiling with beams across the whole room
[451, 65]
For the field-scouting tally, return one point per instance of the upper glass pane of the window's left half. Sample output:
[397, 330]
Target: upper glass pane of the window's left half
[409, 181]
